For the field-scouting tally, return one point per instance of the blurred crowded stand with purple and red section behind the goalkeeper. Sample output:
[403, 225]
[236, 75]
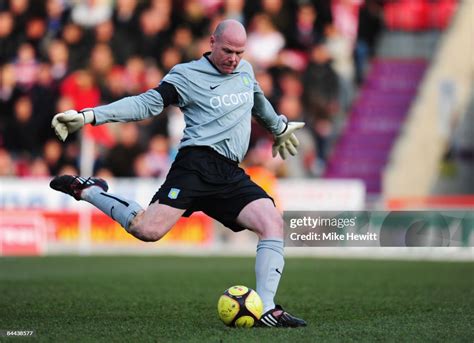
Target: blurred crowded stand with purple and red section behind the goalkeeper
[57, 55]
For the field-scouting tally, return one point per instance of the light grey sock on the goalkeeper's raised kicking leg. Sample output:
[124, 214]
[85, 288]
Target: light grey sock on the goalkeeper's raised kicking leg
[119, 209]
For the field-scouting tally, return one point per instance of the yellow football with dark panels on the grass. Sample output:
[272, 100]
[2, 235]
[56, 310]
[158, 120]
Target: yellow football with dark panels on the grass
[240, 306]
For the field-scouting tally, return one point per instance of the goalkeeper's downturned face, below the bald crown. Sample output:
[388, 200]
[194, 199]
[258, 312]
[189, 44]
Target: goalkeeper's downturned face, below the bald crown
[226, 53]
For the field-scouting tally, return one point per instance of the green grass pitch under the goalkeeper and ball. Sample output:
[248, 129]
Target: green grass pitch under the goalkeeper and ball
[173, 299]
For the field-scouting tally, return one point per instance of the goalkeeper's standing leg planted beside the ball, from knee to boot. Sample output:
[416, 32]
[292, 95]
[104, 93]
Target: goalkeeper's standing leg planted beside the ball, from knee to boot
[263, 218]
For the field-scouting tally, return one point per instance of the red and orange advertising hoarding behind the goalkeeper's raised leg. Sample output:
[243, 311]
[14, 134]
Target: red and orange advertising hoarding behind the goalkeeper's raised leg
[28, 232]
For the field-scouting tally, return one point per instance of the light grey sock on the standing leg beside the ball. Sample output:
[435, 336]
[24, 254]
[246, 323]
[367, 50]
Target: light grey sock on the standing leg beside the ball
[268, 268]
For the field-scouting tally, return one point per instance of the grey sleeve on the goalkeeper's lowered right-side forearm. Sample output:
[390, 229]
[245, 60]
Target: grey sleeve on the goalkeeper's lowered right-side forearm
[266, 115]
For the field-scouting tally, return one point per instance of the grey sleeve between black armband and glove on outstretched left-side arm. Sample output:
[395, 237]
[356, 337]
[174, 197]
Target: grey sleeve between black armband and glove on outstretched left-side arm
[132, 108]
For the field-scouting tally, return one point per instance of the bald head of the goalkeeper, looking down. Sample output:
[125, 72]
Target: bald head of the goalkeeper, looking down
[228, 45]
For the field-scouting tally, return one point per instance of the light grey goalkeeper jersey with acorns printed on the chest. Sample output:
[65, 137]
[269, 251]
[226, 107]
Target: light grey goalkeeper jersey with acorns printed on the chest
[217, 107]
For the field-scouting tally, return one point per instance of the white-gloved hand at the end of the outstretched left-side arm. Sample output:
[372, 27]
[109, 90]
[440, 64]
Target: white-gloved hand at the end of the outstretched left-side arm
[70, 121]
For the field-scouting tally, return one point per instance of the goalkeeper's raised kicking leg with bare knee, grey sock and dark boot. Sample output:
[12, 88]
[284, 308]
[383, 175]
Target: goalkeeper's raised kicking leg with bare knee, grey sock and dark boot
[147, 225]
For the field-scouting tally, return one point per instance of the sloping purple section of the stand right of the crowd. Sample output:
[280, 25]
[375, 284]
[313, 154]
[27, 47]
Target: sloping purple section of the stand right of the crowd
[375, 121]
